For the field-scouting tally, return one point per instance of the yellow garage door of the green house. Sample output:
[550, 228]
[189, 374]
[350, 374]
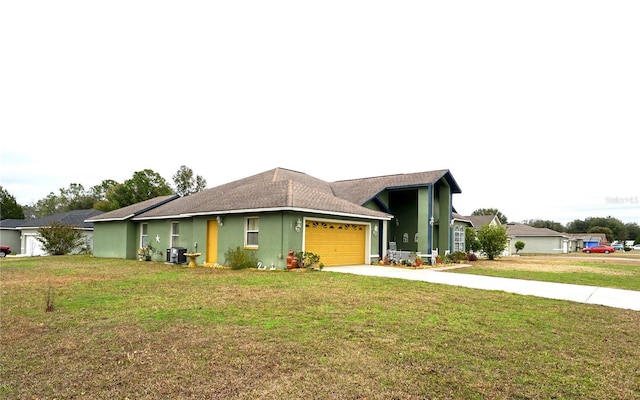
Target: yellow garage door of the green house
[337, 243]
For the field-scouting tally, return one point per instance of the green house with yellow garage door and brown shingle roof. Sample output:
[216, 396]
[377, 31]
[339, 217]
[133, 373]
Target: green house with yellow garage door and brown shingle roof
[345, 222]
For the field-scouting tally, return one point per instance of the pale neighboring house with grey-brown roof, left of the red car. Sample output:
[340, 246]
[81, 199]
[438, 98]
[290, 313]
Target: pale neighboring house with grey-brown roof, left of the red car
[538, 240]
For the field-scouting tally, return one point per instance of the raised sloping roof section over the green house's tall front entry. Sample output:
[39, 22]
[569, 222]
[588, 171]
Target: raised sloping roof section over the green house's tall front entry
[360, 191]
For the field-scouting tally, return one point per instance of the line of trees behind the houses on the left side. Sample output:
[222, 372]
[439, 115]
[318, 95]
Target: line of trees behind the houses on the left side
[107, 196]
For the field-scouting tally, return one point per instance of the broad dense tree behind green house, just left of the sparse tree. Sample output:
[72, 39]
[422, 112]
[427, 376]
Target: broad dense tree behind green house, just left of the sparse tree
[144, 185]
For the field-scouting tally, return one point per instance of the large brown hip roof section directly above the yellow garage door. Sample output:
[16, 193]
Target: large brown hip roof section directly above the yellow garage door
[275, 189]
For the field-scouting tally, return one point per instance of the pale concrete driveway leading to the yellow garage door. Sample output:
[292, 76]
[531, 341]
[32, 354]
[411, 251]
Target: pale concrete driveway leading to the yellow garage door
[617, 298]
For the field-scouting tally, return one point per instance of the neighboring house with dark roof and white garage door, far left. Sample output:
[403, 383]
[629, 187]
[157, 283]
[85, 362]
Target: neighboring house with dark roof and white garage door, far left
[28, 229]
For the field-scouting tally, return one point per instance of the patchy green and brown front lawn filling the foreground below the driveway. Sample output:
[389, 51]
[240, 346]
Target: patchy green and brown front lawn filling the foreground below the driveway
[126, 329]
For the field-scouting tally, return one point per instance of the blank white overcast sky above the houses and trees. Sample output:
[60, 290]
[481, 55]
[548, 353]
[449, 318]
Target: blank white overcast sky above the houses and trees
[533, 106]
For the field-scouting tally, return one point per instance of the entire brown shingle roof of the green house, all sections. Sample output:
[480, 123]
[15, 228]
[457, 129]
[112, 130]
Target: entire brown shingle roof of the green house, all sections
[281, 189]
